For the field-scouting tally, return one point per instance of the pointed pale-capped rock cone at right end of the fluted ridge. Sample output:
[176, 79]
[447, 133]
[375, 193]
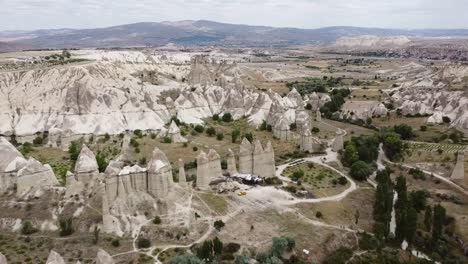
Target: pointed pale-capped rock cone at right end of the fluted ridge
[159, 174]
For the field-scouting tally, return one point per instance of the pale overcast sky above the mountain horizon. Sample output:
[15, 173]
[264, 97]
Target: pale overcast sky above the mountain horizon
[41, 14]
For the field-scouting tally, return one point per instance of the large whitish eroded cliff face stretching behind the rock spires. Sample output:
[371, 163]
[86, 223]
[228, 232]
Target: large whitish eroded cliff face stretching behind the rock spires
[108, 96]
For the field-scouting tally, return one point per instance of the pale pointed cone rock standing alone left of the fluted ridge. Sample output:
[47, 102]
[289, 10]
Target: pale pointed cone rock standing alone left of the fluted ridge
[86, 166]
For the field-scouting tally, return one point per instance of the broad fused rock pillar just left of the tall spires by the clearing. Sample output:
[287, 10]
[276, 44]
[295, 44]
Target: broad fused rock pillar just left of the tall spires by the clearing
[208, 168]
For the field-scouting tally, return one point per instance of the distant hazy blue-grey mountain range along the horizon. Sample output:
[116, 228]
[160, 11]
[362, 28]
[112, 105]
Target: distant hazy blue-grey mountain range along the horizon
[200, 32]
